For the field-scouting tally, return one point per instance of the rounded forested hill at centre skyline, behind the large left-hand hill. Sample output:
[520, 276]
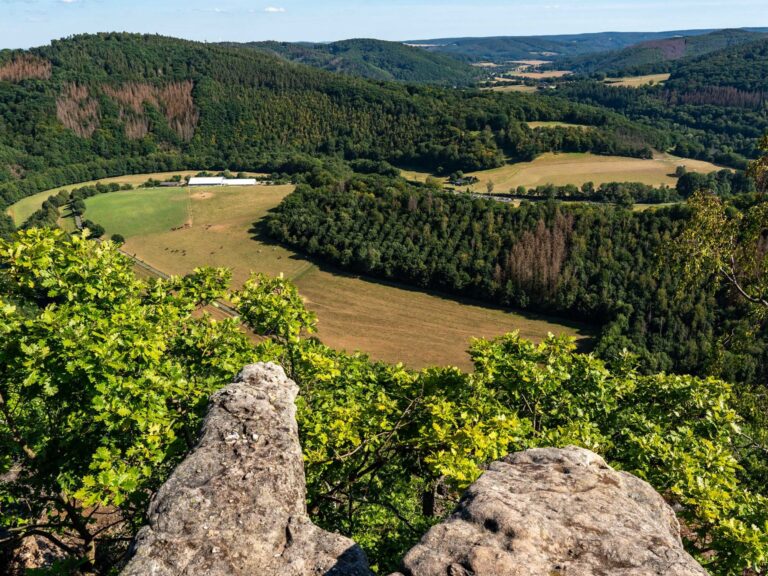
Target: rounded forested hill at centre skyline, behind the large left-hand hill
[375, 59]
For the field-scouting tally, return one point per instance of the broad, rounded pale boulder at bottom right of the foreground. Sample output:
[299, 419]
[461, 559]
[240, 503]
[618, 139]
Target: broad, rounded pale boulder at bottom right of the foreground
[551, 512]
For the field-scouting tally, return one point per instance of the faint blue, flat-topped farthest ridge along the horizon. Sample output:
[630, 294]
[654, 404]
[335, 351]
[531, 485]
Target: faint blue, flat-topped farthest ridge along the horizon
[502, 48]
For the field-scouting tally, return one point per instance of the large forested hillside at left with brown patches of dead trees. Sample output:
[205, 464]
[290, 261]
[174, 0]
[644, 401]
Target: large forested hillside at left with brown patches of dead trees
[96, 105]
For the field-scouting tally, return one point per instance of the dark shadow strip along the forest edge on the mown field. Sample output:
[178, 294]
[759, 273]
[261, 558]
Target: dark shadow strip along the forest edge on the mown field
[587, 332]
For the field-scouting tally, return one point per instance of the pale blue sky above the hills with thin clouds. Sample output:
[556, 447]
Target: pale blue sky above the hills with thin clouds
[25, 23]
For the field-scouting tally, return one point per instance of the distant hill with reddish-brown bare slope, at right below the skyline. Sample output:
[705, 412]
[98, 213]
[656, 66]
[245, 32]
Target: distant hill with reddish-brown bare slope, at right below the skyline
[659, 55]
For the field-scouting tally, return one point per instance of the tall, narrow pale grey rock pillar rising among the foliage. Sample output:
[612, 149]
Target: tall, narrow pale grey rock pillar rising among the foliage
[236, 505]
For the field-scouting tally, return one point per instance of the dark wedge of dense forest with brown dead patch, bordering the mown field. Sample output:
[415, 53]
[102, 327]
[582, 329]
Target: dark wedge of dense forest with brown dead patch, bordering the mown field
[600, 264]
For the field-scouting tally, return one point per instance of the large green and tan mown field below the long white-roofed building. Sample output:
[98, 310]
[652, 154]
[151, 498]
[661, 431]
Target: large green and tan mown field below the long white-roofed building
[388, 322]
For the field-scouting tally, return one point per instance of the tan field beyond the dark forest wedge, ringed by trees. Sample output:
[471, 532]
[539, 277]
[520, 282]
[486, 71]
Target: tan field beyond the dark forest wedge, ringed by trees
[578, 168]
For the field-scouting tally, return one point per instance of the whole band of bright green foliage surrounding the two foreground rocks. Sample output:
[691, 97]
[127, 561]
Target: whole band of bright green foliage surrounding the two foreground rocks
[104, 378]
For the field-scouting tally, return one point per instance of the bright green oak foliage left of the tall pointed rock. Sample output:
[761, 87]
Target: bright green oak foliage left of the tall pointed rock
[103, 381]
